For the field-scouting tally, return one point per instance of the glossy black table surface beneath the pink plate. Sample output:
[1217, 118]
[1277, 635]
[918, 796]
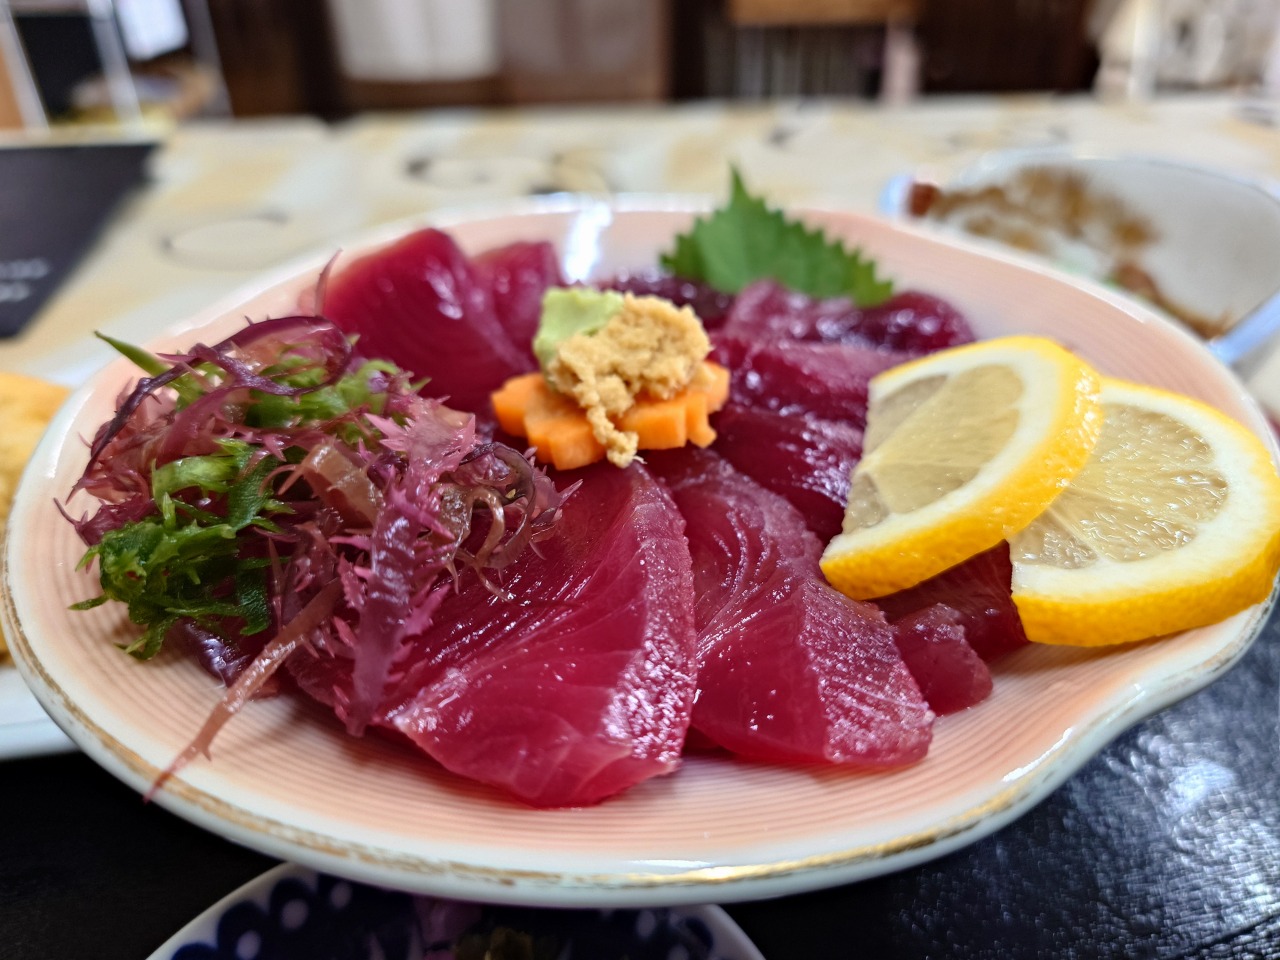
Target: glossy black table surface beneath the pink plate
[1165, 845]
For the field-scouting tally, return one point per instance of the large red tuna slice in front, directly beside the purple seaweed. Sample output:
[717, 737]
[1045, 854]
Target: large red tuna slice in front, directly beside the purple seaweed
[578, 687]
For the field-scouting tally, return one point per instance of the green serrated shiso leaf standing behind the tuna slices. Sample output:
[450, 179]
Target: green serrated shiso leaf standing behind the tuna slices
[747, 241]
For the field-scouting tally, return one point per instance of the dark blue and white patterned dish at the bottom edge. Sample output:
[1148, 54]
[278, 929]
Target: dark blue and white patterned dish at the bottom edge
[292, 913]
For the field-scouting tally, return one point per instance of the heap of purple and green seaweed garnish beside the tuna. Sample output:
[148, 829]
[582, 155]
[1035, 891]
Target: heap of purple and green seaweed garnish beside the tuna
[276, 495]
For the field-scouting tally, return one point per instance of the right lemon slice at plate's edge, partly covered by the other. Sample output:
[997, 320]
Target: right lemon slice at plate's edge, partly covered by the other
[1173, 524]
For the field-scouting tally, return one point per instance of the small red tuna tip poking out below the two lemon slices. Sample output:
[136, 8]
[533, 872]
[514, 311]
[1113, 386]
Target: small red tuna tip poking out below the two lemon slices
[948, 670]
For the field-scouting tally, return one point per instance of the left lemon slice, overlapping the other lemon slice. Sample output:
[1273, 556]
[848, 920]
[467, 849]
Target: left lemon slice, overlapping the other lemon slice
[963, 449]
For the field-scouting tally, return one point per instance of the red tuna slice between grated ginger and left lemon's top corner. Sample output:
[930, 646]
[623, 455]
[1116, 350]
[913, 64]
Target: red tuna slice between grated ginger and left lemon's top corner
[826, 381]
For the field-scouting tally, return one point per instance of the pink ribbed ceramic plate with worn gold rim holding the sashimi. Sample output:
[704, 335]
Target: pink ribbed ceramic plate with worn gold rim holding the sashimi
[287, 781]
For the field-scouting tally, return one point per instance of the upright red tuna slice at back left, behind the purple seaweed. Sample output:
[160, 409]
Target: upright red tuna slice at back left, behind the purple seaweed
[422, 304]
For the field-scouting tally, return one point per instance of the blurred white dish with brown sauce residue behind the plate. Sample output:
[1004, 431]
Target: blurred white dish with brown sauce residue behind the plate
[1209, 259]
